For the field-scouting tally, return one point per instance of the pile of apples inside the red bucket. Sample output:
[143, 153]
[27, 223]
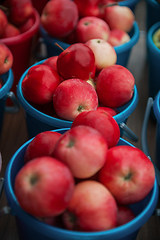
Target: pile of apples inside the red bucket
[16, 17]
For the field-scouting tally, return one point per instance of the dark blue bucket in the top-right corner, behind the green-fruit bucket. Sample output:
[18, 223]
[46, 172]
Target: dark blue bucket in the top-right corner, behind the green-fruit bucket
[153, 13]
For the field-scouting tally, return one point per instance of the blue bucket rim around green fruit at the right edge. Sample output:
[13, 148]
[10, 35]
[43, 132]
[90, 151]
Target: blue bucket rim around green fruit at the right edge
[152, 47]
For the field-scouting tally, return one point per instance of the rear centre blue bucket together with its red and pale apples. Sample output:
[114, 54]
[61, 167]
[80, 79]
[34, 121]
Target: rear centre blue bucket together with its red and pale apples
[114, 24]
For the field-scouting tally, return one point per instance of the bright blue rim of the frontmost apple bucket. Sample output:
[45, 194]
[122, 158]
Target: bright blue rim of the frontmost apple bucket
[132, 225]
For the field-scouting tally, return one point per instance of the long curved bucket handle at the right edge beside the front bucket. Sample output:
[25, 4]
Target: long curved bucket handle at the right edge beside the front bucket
[144, 142]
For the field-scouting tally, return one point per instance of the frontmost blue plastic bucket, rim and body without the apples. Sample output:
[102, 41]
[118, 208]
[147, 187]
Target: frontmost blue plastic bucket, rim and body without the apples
[30, 228]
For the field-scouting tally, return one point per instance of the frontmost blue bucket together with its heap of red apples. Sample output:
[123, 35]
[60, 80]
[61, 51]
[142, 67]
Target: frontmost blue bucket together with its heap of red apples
[59, 187]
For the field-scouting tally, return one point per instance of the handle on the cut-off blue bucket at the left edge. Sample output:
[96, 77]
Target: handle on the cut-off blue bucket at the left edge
[16, 106]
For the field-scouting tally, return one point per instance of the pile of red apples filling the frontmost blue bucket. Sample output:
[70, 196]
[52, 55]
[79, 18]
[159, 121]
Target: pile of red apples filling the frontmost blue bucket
[73, 180]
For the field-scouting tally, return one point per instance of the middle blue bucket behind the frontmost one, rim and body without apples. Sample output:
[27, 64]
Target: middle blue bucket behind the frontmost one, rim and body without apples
[39, 122]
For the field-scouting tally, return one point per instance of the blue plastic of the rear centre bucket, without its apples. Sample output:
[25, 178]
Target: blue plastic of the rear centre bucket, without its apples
[123, 51]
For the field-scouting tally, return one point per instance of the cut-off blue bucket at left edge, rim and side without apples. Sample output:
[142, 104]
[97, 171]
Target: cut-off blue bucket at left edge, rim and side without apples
[7, 80]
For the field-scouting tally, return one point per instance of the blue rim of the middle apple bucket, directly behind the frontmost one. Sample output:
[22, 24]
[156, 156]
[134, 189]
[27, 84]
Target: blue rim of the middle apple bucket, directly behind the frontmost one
[120, 117]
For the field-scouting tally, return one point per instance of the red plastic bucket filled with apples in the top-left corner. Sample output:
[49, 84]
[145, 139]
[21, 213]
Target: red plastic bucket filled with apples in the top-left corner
[21, 23]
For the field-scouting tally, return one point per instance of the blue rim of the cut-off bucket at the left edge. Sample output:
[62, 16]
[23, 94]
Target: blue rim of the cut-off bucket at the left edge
[8, 83]
